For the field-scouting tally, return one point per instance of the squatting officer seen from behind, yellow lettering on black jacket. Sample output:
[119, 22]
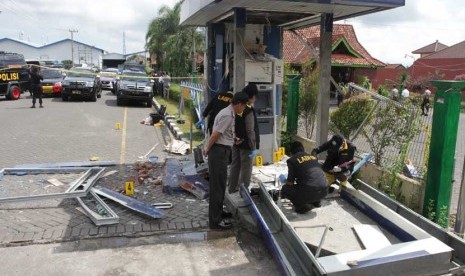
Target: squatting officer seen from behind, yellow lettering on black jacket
[306, 184]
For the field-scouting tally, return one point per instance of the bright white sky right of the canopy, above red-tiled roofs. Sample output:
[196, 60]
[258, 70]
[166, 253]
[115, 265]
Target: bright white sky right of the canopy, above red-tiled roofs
[390, 35]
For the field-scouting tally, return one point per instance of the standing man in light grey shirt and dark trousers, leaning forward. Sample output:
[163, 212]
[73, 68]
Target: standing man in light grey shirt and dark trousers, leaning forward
[219, 147]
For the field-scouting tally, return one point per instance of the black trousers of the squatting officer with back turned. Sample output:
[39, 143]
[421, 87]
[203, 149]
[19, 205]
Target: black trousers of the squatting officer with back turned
[300, 196]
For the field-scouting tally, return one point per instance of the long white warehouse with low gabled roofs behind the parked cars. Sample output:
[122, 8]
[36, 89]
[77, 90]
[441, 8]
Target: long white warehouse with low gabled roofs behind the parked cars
[61, 50]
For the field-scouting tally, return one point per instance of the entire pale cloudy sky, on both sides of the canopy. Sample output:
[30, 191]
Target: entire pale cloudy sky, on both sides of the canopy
[388, 36]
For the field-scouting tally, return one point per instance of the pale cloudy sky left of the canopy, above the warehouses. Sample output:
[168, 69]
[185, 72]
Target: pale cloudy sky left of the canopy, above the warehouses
[100, 23]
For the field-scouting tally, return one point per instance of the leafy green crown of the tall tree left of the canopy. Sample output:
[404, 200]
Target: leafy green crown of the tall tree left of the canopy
[173, 44]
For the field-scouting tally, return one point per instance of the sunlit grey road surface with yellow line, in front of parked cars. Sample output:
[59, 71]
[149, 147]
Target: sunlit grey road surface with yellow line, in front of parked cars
[74, 131]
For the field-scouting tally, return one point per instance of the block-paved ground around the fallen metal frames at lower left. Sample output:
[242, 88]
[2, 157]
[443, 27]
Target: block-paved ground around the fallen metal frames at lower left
[60, 220]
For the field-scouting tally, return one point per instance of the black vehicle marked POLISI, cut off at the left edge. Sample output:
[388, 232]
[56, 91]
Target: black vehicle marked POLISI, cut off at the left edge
[14, 75]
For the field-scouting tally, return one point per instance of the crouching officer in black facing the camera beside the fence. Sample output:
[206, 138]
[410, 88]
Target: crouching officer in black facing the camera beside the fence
[340, 161]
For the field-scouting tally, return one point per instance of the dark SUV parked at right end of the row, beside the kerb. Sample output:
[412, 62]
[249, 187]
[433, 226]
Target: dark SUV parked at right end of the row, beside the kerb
[134, 85]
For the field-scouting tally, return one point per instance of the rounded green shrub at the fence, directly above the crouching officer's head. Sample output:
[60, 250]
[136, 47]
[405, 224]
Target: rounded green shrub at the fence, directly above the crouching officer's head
[350, 115]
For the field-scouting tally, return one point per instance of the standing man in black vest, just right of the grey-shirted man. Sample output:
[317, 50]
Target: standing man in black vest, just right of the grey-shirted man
[247, 143]
